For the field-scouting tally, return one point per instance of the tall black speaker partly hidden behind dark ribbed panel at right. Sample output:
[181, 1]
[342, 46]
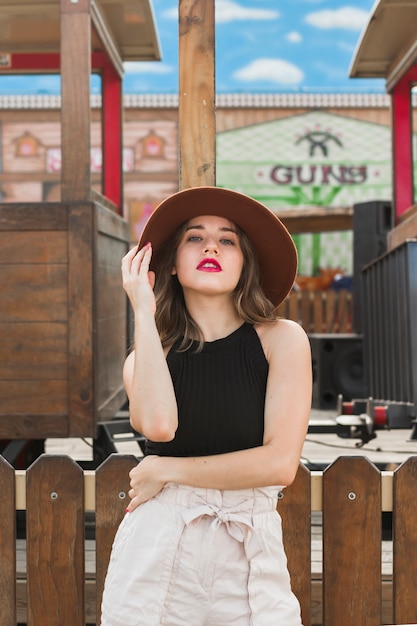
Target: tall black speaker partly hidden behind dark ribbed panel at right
[371, 223]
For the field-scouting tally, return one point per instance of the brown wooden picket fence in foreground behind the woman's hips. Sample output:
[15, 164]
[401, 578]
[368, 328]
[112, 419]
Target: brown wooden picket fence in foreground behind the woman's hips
[59, 585]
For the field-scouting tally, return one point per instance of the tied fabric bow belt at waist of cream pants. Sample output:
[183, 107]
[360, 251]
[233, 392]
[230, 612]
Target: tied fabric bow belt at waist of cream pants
[238, 525]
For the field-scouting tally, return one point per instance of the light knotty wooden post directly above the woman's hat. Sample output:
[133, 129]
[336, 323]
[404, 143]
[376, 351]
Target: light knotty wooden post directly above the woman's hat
[197, 127]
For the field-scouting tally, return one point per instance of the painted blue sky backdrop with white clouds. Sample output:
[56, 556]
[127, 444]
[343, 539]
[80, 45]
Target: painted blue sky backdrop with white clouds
[262, 46]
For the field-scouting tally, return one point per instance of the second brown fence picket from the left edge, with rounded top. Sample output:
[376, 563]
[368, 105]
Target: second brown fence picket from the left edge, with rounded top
[55, 542]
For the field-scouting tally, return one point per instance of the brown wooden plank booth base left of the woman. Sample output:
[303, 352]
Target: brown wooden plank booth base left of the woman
[63, 318]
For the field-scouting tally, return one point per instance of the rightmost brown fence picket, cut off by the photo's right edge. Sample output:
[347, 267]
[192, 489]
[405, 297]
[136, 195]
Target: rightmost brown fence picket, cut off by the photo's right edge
[405, 542]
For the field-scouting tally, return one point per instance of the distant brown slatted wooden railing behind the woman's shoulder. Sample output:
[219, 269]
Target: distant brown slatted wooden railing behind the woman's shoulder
[326, 311]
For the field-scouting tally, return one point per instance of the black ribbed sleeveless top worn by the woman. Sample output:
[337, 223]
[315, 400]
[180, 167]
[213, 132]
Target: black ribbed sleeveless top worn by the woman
[220, 395]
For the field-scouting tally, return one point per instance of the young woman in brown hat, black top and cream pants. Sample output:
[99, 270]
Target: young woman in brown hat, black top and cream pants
[221, 388]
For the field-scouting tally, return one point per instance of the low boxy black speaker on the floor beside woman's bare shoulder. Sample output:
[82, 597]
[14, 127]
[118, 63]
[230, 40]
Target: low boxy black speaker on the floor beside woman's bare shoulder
[337, 368]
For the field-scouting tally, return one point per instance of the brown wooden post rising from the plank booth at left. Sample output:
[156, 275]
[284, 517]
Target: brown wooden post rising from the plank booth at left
[75, 105]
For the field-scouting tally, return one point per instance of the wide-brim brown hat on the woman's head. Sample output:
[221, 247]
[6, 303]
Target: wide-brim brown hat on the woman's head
[277, 254]
